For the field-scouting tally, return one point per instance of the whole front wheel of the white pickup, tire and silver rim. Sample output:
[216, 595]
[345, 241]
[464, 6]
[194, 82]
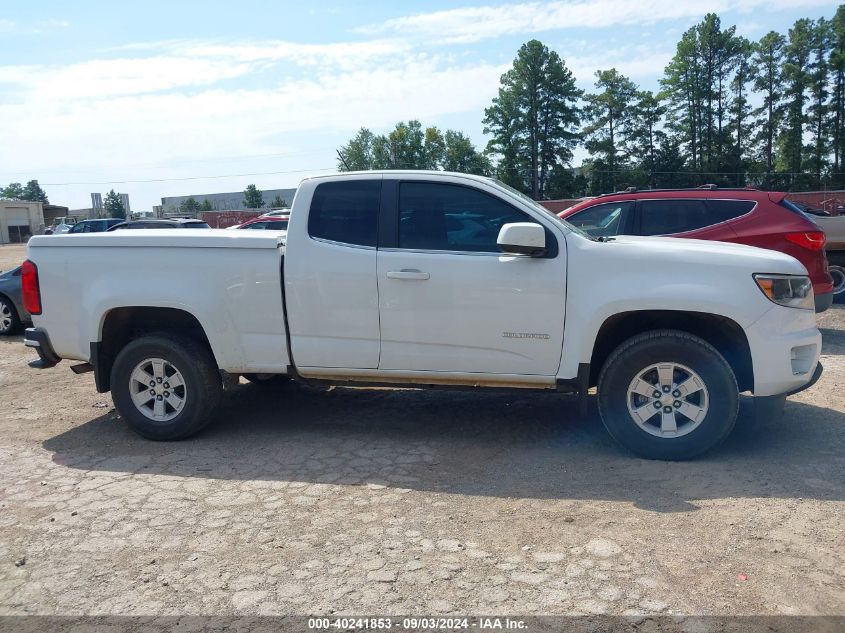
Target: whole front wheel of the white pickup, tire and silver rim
[668, 394]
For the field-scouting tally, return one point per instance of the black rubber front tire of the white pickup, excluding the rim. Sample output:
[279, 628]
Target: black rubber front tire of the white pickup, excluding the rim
[668, 346]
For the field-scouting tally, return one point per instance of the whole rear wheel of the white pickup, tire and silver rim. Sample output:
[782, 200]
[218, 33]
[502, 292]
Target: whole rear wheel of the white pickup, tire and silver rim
[165, 386]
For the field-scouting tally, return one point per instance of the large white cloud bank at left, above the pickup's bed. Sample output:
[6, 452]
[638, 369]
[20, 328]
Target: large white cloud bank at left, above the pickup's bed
[116, 119]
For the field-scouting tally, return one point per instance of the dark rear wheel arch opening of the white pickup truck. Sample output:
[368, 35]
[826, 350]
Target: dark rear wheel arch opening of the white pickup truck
[121, 325]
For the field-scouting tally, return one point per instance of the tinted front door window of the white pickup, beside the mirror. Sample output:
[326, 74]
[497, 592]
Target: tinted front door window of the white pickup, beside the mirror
[452, 218]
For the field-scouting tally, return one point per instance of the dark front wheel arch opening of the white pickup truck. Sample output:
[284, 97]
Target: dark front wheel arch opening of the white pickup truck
[723, 333]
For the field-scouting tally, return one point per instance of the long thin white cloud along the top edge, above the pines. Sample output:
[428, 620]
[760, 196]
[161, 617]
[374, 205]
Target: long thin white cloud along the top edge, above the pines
[472, 24]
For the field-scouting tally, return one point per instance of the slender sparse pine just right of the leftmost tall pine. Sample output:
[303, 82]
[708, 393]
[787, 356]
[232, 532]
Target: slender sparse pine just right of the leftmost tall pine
[607, 112]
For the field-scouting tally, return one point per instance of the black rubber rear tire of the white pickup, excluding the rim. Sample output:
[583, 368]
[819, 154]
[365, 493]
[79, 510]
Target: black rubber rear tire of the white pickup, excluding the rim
[203, 385]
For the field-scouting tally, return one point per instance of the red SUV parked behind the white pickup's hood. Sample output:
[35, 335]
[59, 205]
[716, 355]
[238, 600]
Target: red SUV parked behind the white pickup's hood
[745, 216]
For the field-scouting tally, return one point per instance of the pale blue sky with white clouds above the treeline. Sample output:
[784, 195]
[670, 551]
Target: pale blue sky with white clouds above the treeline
[168, 98]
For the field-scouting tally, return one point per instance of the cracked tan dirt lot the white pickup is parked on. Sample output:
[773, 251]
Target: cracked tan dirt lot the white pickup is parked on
[402, 501]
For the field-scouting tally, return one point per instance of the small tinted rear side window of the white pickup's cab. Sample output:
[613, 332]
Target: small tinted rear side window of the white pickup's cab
[346, 212]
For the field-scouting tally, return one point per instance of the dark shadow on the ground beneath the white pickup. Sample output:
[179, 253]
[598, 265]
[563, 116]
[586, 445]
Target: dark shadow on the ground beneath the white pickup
[523, 445]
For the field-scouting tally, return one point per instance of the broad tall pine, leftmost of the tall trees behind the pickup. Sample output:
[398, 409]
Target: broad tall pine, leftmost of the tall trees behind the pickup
[535, 114]
